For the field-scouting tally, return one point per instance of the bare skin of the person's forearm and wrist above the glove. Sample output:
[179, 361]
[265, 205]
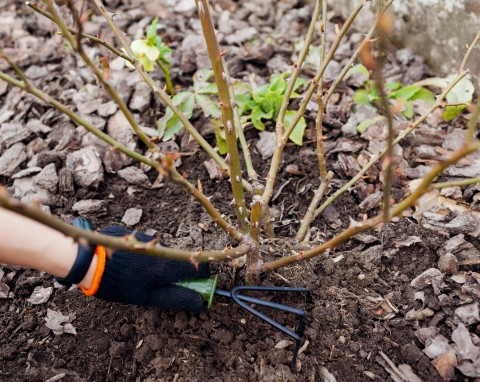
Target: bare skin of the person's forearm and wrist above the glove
[29, 244]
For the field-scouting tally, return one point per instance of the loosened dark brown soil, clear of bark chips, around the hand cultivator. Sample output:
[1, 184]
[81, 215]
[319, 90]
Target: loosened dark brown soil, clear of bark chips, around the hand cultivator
[125, 343]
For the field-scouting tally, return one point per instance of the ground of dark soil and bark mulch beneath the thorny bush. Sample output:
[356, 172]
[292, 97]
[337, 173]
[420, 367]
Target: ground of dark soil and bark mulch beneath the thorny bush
[363, 297]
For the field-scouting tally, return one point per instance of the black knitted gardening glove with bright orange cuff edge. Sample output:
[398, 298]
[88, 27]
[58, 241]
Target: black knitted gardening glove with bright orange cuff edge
[145, 280]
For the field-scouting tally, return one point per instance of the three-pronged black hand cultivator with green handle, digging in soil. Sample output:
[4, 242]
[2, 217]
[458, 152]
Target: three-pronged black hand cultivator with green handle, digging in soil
[207, 288]
